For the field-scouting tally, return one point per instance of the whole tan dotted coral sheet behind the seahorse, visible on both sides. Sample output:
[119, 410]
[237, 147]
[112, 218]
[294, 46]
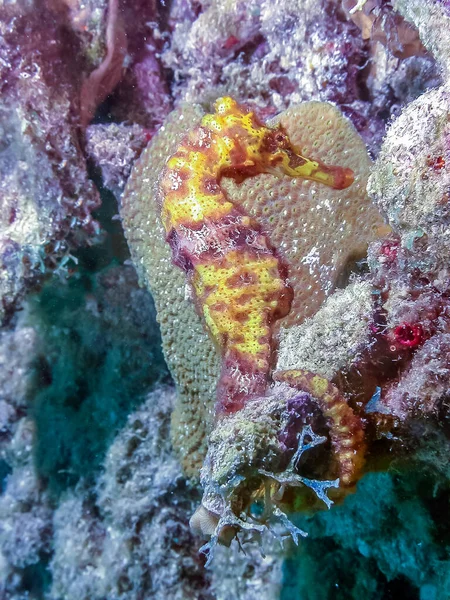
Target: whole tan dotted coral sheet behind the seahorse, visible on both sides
[255, 195]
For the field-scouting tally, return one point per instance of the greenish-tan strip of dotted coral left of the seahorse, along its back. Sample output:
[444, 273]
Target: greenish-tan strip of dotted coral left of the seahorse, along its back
[190, 354]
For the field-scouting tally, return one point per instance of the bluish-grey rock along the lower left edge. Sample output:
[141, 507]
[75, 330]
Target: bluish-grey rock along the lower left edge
[25, 509]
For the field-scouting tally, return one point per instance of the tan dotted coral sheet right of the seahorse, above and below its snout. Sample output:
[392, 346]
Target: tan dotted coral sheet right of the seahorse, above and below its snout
[301, 217]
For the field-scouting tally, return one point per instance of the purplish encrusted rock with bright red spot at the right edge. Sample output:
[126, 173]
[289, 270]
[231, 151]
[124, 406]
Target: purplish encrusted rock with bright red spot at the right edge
[412, 297]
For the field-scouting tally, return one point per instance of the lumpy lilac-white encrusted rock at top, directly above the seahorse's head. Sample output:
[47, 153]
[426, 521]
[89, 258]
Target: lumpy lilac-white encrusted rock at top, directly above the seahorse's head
[241, 51]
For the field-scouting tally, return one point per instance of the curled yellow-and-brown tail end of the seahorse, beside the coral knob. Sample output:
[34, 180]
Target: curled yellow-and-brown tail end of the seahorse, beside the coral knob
[346, 430]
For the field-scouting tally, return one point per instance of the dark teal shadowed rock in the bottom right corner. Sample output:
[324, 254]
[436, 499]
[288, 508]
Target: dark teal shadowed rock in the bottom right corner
[393, 518]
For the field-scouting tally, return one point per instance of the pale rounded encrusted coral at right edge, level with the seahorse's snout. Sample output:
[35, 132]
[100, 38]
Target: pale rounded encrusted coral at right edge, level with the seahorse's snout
[410, 179]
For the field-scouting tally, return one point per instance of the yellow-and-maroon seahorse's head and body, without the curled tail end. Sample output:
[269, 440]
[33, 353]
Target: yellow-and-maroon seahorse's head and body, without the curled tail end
[239, 283]
